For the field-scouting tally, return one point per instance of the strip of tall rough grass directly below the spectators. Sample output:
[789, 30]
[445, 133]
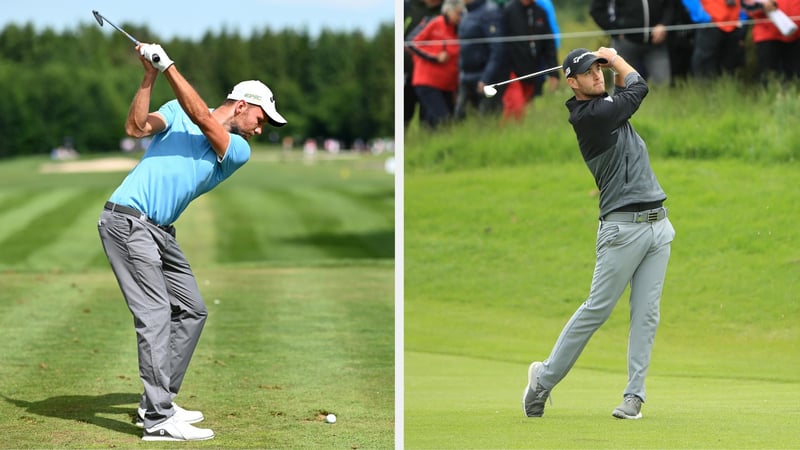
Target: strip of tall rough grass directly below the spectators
[726, 119]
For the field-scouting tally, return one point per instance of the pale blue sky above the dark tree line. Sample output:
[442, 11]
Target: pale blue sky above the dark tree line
[191, 19]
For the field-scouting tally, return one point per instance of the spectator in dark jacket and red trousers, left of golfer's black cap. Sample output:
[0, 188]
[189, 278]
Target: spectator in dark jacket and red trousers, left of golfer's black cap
[527, 18]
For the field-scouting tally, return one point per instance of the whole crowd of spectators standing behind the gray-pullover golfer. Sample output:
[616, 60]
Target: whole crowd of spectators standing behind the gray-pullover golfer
[453, 48]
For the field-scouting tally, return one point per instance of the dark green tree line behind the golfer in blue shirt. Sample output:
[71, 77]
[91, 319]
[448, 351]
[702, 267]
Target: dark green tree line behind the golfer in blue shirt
[79, 83]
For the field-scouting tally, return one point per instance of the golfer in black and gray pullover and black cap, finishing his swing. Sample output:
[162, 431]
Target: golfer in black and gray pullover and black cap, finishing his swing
[634, 236]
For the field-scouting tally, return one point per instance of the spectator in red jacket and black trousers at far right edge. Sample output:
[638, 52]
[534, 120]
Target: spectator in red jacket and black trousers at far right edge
[777, 55]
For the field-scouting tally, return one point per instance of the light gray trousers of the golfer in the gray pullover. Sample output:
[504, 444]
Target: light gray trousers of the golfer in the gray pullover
[635, 253]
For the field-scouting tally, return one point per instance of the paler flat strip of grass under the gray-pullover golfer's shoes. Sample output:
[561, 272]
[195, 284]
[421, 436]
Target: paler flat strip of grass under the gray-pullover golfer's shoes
[470, 403]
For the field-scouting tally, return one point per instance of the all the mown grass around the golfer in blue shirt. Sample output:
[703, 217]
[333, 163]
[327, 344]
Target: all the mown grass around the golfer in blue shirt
[295, 262]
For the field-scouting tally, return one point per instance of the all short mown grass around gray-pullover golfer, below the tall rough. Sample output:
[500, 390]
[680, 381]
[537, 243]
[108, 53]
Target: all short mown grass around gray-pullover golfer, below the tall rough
[496, 260]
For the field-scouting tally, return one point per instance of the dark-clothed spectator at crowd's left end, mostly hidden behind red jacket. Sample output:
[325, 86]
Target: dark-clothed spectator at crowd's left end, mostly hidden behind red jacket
[416, 13]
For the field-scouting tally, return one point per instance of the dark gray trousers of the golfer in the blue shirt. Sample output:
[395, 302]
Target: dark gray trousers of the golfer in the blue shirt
[162, 294]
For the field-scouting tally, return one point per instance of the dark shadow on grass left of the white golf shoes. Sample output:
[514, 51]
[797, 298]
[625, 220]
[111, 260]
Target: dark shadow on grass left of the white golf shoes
[85, 408]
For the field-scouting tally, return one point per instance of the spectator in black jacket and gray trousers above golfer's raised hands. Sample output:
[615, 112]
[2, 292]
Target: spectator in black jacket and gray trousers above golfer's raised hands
[646, 49]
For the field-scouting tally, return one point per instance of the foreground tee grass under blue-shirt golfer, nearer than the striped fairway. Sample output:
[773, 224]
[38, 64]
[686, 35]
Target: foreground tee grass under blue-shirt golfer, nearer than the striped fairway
[281, 347]
